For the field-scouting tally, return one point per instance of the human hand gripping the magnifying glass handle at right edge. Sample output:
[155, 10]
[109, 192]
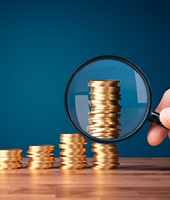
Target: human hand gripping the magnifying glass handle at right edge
[156, 132]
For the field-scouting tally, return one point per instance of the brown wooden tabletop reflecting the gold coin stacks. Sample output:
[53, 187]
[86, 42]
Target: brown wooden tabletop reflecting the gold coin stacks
[135, 178]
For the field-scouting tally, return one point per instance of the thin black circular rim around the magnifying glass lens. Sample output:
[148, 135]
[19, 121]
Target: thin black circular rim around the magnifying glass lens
[100, 140]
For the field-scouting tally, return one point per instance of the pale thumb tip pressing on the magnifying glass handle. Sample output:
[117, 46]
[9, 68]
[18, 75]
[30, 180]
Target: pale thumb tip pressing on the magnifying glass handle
[165, 117]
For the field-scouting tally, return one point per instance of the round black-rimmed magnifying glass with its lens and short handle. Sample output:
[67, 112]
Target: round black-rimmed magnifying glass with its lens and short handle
[135, 98]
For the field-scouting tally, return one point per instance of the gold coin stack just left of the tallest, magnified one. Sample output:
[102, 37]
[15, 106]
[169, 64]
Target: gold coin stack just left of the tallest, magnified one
[72, 152]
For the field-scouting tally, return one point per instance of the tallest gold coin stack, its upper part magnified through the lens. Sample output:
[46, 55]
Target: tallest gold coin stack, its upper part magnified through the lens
[104, 121]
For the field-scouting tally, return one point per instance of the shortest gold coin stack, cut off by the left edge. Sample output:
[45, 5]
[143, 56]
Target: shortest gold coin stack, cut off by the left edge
[9, 158]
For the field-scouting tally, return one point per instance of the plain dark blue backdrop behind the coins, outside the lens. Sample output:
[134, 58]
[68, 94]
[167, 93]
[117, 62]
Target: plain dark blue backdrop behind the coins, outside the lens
[42, 42]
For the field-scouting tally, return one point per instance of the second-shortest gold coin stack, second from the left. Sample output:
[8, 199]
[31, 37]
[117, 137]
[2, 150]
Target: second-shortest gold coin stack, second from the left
[41, 157]
